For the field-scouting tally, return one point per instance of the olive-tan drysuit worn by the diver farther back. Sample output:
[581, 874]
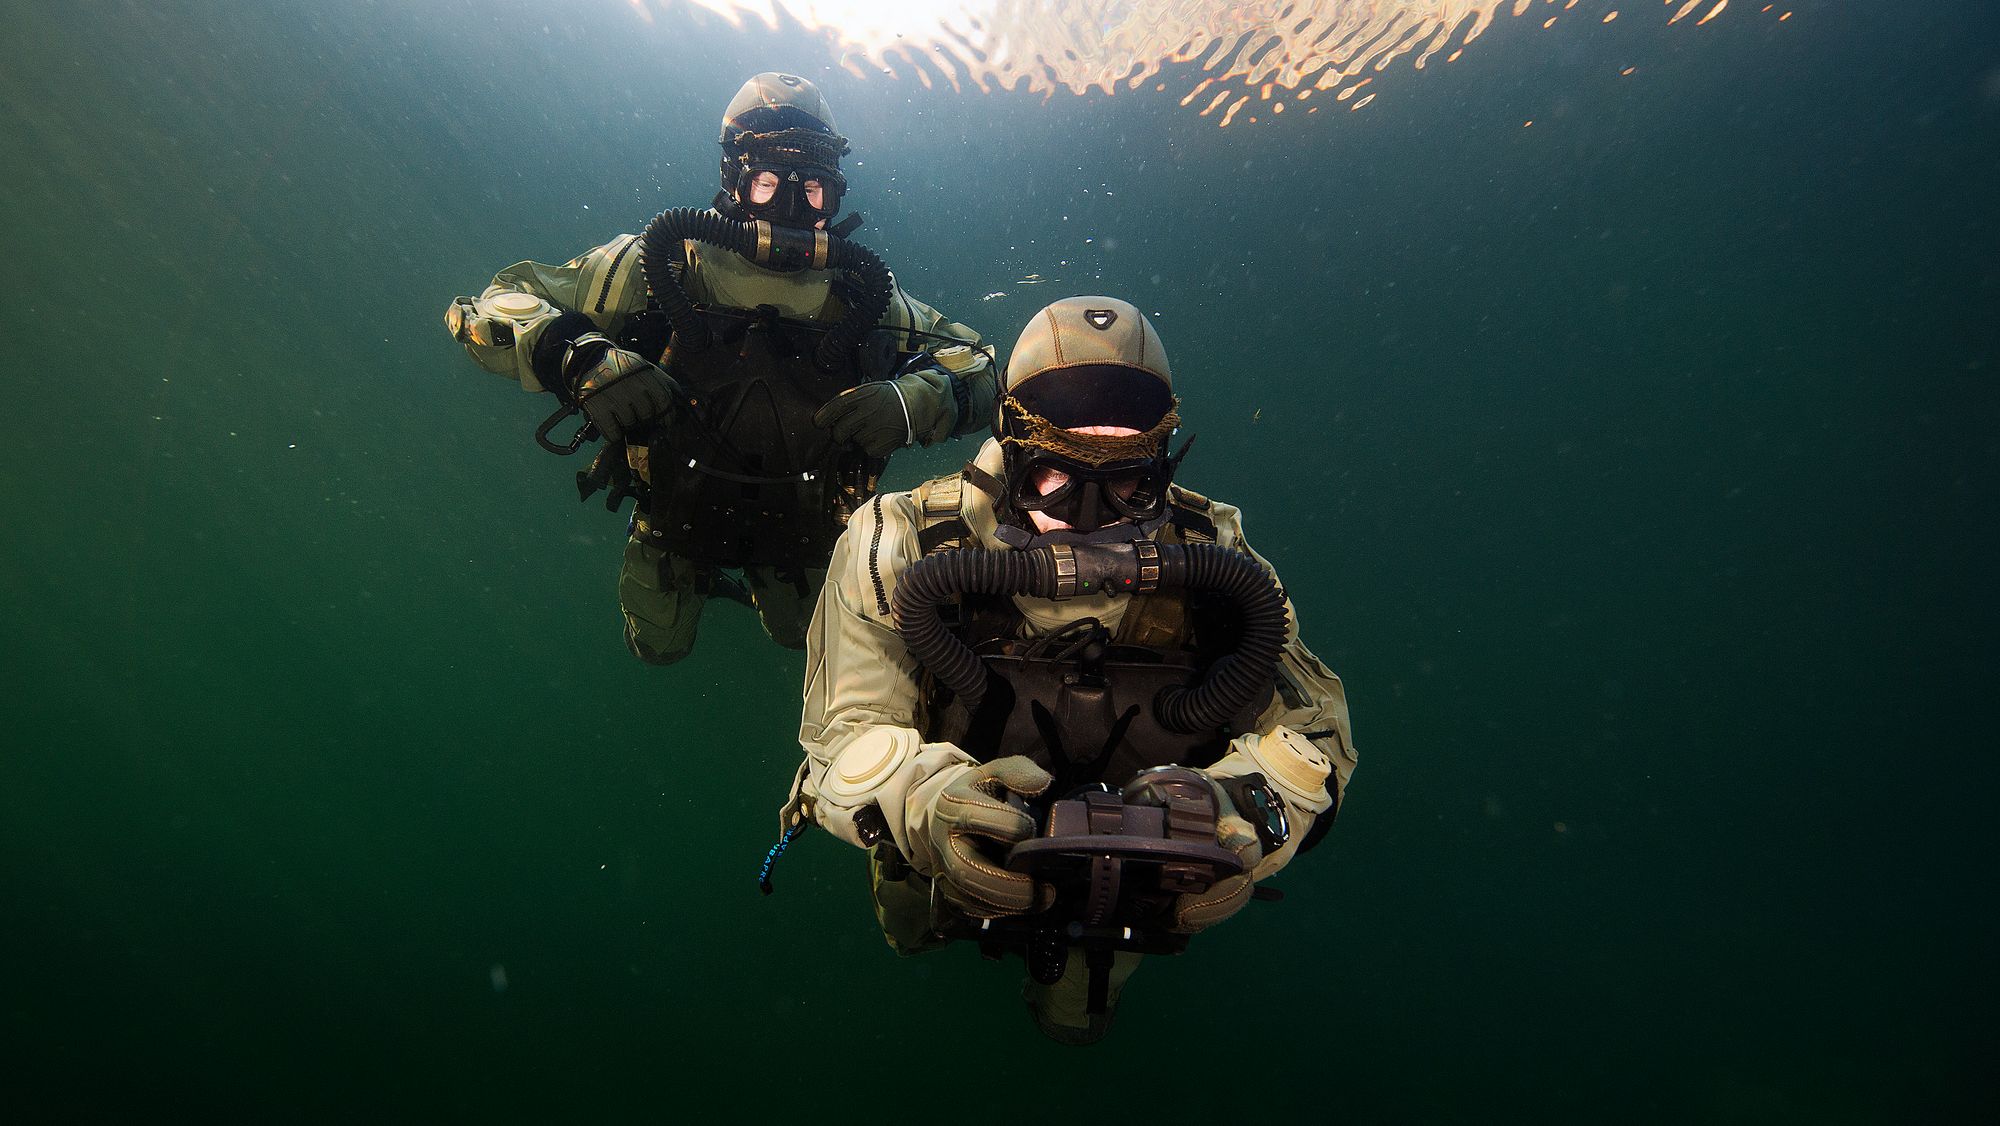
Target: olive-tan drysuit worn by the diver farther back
[663, 595]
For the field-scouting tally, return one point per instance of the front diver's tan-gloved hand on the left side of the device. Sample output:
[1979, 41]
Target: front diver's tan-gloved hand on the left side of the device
[973, 825]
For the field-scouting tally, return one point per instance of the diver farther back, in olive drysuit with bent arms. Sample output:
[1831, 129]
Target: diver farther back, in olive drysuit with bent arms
[593, 335]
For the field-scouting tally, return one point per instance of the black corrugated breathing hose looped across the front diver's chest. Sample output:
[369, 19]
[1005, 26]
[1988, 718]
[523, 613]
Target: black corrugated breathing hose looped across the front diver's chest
[1233, 683]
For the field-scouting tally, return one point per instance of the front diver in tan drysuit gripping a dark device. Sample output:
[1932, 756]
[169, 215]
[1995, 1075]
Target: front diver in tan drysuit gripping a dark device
[897, 767]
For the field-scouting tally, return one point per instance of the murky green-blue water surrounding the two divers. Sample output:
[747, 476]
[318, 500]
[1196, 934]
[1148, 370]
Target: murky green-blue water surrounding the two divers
[1615, 395]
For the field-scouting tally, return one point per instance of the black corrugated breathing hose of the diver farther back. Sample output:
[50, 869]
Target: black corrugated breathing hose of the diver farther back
[767, 245]
